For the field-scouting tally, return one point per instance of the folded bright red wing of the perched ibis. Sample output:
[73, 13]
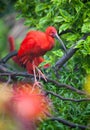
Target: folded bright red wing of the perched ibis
[32, 44]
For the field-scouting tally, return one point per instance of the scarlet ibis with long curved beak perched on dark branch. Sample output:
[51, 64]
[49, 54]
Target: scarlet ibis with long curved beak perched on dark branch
[33, 47]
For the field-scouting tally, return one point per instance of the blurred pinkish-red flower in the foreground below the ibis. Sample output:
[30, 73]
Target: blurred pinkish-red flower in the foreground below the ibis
[28, 102]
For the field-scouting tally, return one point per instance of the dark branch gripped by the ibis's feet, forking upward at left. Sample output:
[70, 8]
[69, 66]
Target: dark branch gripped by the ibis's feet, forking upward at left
[6, 72]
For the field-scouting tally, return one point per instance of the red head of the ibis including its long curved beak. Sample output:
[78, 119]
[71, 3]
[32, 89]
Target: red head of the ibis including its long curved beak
[52, 32]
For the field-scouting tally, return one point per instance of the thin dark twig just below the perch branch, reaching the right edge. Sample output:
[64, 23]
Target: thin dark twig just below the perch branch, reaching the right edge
[67, 99]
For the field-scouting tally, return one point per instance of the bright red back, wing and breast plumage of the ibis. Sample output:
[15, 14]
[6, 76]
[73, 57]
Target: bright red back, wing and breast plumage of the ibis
[36, 44]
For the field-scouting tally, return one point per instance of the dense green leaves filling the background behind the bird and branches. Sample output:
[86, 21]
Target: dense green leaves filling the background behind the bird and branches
[72, 20]
